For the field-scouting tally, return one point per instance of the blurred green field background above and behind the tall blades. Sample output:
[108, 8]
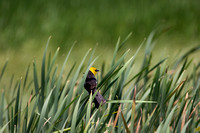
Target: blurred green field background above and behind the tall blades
[26, 25]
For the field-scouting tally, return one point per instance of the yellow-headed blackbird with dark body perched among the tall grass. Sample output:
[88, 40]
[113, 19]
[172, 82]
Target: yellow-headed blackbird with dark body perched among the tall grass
[91, 86]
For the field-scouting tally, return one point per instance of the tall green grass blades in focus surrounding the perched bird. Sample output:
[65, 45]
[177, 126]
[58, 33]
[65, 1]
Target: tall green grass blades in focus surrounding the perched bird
[159, 97]
